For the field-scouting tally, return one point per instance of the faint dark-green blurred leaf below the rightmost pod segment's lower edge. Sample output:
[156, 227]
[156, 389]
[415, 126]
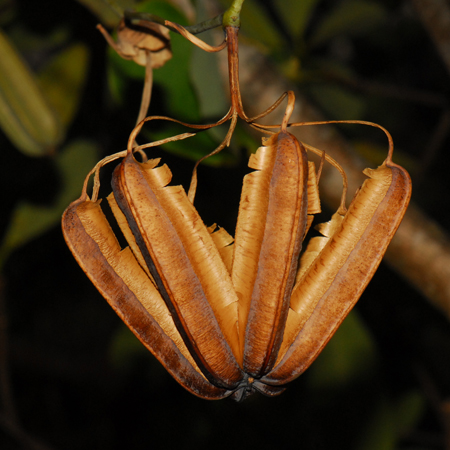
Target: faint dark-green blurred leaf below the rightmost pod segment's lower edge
[348, 356]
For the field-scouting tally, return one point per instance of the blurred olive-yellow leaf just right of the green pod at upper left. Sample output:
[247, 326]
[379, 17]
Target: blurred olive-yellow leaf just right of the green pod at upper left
[63, 80]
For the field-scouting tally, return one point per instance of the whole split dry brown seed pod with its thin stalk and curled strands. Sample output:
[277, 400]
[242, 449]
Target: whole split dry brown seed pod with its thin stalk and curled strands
[228, 317]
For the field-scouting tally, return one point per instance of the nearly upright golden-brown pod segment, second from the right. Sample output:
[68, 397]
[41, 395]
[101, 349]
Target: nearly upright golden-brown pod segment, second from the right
[270, 228]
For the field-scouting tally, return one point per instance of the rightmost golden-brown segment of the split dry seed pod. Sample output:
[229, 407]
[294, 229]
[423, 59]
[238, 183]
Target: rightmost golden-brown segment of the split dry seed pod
[341, 271]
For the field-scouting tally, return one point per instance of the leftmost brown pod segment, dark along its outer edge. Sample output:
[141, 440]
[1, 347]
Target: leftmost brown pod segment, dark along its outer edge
[123, 284]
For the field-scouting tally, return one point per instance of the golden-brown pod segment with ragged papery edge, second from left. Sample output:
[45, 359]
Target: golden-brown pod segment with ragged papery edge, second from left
[185, 264]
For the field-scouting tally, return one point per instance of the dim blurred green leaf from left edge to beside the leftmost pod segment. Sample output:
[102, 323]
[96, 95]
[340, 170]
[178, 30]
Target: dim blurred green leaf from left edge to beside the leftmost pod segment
[28, 220]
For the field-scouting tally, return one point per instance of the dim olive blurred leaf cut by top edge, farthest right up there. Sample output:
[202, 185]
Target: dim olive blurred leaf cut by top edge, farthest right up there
[349, 18]
